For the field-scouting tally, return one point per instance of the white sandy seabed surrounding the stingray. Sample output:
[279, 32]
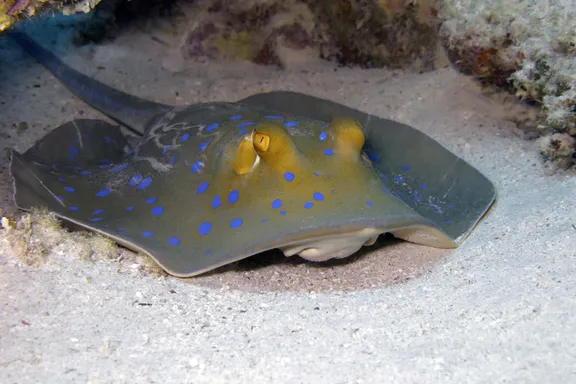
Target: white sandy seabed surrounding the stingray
[501, 308]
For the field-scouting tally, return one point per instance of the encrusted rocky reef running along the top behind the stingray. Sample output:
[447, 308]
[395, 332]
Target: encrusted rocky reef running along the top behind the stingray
[527, 48]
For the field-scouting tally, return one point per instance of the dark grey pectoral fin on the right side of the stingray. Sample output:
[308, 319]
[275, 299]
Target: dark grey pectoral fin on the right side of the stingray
[418, 170]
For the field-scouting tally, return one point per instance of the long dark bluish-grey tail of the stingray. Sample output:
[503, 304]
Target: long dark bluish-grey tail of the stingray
[128, 110]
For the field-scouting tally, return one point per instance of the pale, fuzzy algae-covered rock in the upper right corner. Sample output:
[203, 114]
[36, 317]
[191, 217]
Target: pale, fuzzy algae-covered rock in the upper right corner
[529, 46]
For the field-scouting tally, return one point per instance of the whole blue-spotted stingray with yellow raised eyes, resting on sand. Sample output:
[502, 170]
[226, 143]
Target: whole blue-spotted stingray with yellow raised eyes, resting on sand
[200, 186]
